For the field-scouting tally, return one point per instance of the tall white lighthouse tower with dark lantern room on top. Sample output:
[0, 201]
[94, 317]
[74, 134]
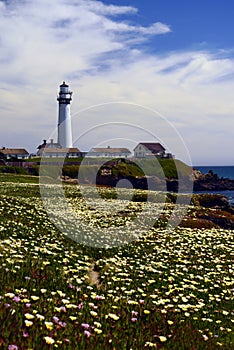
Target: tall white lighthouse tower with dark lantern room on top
[64, 116]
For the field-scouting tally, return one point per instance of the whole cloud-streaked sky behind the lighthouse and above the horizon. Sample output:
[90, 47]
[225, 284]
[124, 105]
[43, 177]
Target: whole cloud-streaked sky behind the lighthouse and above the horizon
[159, 70]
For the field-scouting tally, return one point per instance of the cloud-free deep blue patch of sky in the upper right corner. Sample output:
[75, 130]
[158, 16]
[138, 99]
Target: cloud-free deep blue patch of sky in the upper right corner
[197, 23]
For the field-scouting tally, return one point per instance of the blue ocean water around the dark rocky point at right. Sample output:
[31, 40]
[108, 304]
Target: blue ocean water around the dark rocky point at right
[222, 171]
